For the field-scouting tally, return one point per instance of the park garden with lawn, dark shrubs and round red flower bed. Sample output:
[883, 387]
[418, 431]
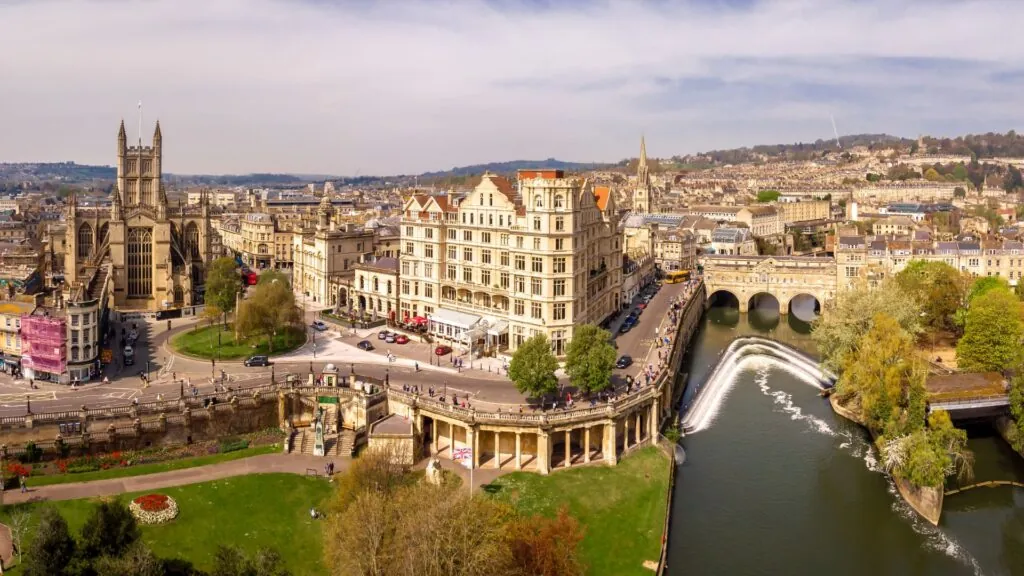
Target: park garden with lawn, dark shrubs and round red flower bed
[188, 525]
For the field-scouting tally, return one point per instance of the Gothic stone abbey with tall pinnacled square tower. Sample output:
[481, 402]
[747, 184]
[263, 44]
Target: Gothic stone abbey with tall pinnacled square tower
[158, 253]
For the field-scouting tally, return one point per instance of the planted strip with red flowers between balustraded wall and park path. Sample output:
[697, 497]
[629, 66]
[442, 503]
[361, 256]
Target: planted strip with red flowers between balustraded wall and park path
[138, 463]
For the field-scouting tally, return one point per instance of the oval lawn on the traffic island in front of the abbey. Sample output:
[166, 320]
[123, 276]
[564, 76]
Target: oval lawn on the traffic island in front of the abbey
[203, 344]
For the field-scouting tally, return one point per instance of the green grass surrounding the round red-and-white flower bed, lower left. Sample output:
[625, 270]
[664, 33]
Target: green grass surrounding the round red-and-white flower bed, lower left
[249, 512]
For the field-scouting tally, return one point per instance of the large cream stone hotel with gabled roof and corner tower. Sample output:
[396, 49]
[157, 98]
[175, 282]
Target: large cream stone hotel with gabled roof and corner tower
[510, 261]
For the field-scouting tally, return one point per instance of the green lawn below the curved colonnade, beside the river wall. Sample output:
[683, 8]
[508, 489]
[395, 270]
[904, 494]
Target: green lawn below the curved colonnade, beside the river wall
[623, 508]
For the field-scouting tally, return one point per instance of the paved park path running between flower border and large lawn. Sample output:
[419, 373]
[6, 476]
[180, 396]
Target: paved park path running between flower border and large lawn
[294, 464]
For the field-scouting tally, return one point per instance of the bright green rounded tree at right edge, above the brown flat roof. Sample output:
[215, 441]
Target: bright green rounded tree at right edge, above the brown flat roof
[993, 334]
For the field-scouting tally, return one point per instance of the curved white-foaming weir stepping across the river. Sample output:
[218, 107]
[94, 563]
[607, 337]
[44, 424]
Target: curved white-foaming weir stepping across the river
[742, 354]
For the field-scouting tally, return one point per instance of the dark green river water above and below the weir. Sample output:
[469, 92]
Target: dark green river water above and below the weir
[781, 485]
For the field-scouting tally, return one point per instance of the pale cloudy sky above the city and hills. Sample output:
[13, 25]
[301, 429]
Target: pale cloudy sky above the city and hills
[385, 88]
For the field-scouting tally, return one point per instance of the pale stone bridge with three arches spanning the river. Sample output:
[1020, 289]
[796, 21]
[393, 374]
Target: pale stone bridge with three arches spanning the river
[785, 279]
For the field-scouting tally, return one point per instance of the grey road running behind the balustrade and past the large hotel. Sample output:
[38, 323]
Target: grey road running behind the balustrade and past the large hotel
[482, 382]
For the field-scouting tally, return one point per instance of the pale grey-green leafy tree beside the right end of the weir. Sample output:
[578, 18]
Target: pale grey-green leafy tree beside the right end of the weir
[844, 322]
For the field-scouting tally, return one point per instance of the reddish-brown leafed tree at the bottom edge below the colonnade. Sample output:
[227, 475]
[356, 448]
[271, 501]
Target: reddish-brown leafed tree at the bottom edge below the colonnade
[545, 547]
